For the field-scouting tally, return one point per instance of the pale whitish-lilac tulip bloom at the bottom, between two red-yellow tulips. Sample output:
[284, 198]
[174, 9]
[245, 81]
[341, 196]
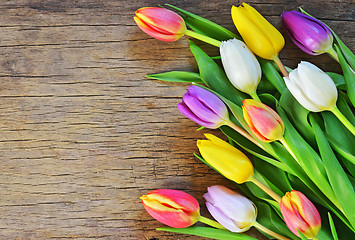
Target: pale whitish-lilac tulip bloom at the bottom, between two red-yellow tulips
[232, 210]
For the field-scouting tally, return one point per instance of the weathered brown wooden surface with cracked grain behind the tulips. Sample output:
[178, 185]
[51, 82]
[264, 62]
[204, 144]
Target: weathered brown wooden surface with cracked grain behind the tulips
[83, 134]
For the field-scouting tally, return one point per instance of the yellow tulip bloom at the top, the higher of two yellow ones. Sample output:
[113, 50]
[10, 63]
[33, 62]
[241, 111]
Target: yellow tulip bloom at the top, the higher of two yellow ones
[258, 34]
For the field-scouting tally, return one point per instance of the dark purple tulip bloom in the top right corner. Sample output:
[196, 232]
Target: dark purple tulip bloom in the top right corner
[308, 33]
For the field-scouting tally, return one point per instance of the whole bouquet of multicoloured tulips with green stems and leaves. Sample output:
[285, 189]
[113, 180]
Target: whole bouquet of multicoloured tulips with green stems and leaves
[296, 125]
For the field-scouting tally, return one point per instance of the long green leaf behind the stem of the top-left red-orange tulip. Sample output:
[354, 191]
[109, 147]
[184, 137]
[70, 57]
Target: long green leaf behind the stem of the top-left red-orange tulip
[204, 26]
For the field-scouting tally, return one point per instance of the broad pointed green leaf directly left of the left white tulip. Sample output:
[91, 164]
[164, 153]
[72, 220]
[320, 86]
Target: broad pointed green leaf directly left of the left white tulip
[214, 77]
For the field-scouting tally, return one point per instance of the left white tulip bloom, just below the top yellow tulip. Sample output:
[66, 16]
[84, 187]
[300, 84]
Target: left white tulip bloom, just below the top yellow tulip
[240, 65]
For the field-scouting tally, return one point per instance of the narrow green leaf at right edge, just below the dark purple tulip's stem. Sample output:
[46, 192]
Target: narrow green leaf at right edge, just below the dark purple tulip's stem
[349, 75]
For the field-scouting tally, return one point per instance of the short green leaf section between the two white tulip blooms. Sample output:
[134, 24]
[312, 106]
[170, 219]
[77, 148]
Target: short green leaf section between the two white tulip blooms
[272, 75]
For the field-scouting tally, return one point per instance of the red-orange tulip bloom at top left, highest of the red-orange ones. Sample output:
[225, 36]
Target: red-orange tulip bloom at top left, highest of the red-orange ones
[160, 23]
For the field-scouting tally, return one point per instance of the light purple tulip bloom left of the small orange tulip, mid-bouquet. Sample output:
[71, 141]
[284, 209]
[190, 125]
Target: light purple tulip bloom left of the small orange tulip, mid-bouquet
[204, 108]
